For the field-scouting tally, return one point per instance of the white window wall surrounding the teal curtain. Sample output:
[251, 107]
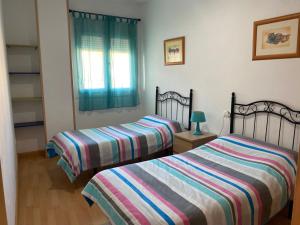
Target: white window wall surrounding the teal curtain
[124, 8]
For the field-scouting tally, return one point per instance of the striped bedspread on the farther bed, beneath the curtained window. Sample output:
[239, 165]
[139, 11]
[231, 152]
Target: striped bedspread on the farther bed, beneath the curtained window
[86, 149]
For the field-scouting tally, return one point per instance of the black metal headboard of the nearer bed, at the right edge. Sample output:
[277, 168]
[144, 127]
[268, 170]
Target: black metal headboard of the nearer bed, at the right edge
[267, 107]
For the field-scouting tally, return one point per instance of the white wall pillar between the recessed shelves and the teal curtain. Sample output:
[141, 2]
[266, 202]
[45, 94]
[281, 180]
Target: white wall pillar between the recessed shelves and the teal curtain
[54, 47]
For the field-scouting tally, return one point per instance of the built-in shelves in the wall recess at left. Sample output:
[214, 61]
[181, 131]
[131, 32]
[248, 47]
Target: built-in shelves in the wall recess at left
[27, 98]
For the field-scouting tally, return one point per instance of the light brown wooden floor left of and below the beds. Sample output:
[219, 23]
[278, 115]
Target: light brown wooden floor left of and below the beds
[46, 197]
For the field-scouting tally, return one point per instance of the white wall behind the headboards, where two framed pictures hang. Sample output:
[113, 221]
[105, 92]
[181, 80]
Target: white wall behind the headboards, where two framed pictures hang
[218, 54]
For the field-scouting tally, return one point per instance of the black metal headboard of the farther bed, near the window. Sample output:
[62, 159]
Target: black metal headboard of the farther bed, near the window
[176, 104]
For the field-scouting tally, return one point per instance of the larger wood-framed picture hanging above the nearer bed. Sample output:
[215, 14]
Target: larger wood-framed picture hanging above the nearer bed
[277, 38]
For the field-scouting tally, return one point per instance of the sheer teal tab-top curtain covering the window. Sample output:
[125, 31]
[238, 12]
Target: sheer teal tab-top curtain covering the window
[104, 60]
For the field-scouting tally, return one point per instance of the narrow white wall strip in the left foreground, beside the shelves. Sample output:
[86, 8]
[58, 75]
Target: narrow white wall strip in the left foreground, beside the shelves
[7, 149]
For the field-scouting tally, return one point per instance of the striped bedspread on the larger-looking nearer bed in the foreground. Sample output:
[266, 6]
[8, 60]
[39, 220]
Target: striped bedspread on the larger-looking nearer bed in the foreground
[229, 181]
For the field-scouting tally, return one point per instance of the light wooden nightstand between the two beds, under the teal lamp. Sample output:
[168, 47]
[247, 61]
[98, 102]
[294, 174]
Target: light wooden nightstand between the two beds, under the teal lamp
[186, 141]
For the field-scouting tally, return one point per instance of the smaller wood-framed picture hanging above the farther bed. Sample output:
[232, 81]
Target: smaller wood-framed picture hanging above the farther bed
[174, 51]
